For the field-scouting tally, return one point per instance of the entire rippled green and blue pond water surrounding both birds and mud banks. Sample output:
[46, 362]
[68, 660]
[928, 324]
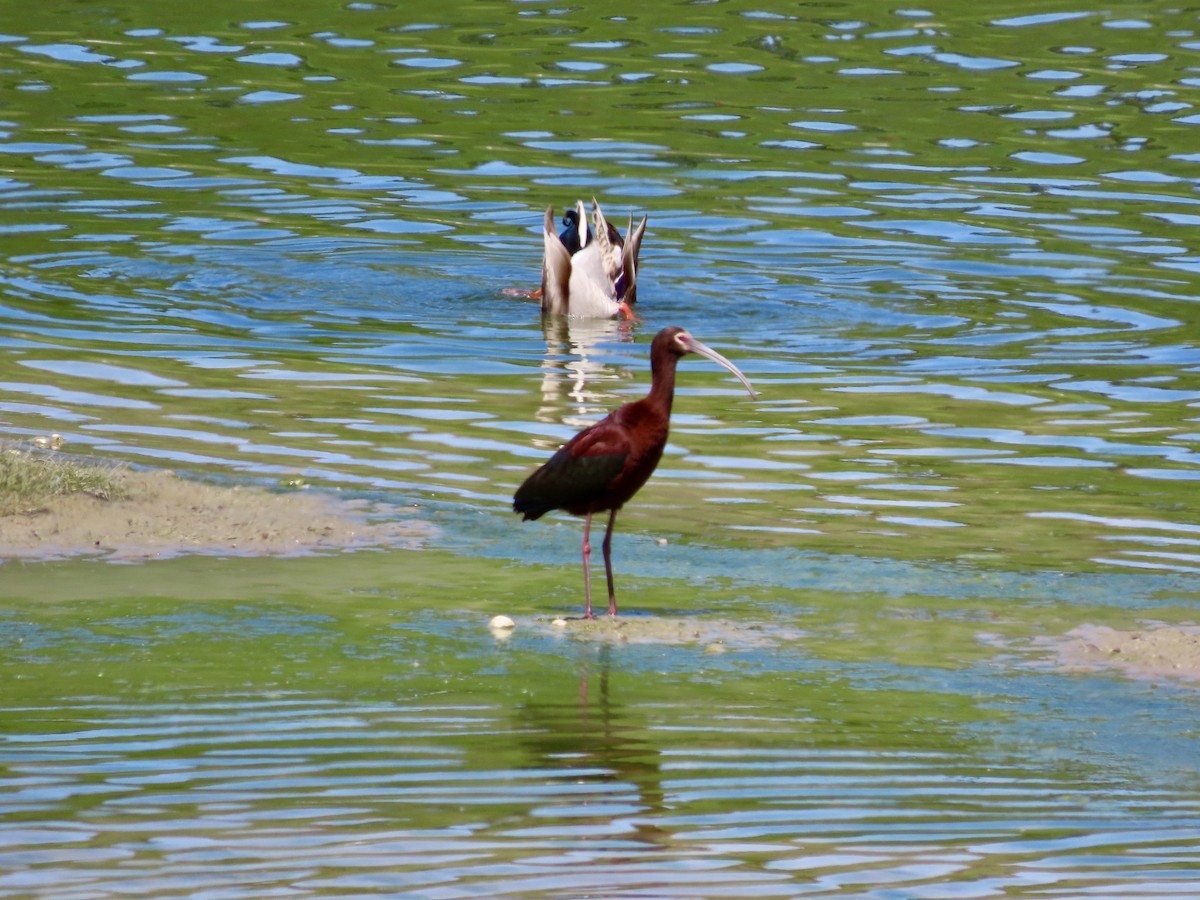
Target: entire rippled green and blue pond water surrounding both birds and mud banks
[952, 250]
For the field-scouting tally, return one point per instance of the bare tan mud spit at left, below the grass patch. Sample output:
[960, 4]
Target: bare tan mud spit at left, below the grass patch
[164, 517]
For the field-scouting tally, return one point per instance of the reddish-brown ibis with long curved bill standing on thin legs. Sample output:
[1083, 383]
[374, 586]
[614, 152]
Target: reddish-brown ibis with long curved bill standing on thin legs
[604, 466]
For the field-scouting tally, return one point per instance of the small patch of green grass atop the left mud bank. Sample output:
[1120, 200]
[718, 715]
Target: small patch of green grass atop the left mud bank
[31, 477]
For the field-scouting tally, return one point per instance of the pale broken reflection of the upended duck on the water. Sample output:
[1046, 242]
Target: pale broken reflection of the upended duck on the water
[575, 385]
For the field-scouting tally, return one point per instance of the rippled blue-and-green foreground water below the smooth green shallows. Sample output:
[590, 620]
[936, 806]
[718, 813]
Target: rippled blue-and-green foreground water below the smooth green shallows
[311, 799]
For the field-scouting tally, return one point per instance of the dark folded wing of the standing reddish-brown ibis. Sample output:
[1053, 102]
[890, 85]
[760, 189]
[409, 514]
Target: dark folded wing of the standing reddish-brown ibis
[577, 478]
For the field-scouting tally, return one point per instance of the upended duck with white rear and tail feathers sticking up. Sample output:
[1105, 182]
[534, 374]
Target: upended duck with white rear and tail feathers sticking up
[590, 273]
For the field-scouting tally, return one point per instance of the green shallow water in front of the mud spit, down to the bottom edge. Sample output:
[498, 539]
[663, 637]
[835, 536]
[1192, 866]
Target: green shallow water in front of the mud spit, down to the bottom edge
[332, 728]
